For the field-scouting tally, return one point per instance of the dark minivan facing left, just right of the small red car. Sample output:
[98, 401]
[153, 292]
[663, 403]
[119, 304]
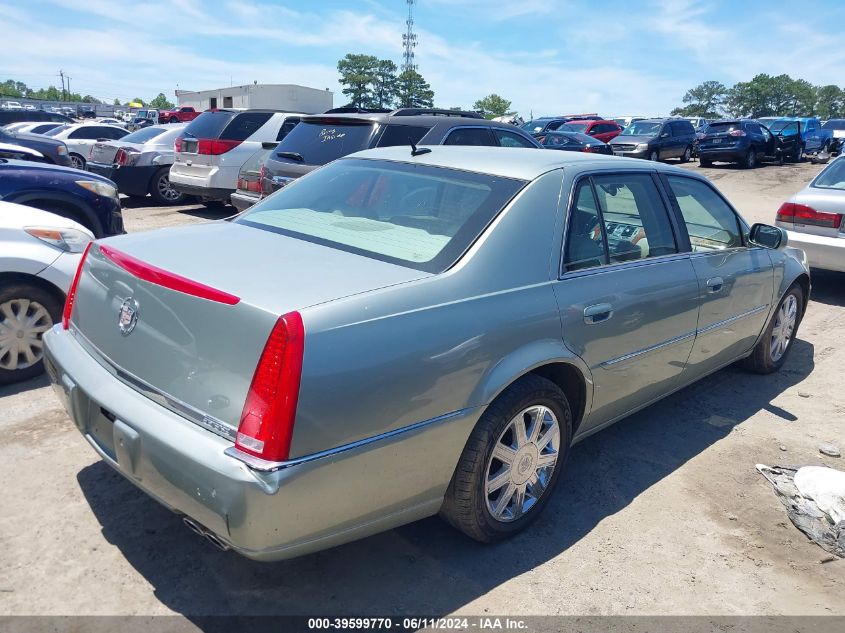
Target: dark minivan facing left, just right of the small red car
[656, 139]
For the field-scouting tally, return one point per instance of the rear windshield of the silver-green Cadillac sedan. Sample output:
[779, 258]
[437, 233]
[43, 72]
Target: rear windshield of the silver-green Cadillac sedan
[417, 216]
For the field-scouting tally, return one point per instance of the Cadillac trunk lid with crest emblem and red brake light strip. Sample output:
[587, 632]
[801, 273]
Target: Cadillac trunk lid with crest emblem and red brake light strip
[193, 344]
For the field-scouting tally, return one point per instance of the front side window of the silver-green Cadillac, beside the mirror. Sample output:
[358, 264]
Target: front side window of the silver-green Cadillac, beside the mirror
[712, 225]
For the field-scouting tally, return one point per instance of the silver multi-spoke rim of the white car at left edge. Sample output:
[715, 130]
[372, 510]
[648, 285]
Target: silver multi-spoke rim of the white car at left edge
[22, 323]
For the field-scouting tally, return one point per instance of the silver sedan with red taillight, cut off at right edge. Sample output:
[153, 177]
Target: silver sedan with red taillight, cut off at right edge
[815, 218]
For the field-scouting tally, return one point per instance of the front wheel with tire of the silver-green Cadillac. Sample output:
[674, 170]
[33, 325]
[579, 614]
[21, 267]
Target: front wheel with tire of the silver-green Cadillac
[773, 347]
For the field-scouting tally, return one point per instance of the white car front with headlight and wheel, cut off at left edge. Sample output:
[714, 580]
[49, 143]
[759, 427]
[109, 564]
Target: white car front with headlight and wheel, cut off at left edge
[39, 253]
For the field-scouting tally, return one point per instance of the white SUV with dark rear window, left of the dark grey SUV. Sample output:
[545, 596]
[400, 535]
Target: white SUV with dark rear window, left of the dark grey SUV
[215, 146]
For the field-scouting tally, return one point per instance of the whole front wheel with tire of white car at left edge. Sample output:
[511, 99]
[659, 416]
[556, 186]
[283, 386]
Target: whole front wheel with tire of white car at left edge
[32, 310]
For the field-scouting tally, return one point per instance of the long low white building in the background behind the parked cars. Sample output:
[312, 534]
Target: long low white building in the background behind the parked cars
[286, 97]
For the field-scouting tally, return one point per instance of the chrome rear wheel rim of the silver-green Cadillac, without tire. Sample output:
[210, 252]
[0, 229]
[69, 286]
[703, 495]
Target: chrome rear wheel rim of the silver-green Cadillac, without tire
[522, 463]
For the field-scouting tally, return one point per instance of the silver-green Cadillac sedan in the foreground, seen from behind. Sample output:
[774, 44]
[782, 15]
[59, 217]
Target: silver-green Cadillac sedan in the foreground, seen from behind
[407, 332]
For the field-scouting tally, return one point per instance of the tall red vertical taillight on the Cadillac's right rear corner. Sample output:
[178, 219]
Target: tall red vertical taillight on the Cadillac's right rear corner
[267, 420]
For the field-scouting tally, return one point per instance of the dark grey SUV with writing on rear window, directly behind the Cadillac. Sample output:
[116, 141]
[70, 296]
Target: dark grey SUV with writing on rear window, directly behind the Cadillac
[322, 138]
